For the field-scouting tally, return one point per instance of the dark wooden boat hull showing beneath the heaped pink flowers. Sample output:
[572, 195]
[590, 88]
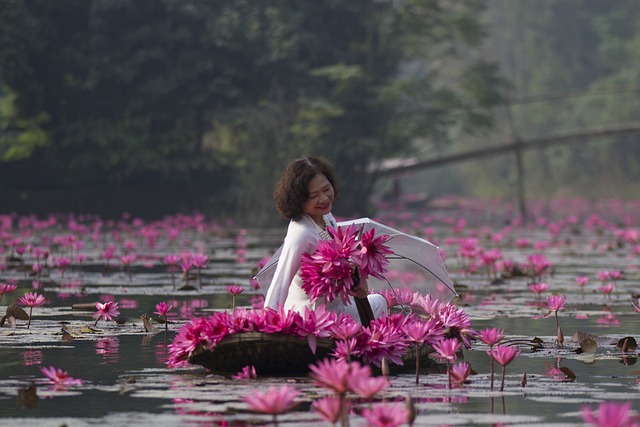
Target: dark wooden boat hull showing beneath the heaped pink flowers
[280, 354]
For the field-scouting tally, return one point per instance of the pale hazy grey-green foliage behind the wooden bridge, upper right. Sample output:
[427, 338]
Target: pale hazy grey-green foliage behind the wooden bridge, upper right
[573, 66]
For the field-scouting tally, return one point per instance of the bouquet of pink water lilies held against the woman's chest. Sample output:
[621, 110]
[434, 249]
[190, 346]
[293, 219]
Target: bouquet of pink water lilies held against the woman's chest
[329, 271]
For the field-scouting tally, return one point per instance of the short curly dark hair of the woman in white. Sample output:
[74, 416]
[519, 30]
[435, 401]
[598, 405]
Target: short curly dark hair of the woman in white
[292, 188]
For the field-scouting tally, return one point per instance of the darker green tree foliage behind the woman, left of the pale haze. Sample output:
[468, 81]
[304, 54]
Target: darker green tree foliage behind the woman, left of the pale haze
[110, 88]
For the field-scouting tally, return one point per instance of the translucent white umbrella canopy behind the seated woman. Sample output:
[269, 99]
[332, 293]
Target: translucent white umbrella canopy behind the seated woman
[416, 263]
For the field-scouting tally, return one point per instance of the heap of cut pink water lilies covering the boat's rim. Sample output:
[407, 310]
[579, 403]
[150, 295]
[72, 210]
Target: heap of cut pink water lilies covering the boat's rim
[388, 337]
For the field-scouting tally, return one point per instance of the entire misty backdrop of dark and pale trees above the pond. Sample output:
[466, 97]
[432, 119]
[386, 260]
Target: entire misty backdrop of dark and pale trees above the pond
[163, 105]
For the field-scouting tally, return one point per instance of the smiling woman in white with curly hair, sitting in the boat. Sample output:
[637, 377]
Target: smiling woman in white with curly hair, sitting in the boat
[305, 194]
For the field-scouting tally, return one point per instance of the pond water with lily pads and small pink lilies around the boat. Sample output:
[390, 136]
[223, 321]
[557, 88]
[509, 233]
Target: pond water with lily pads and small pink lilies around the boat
[123, 367]
